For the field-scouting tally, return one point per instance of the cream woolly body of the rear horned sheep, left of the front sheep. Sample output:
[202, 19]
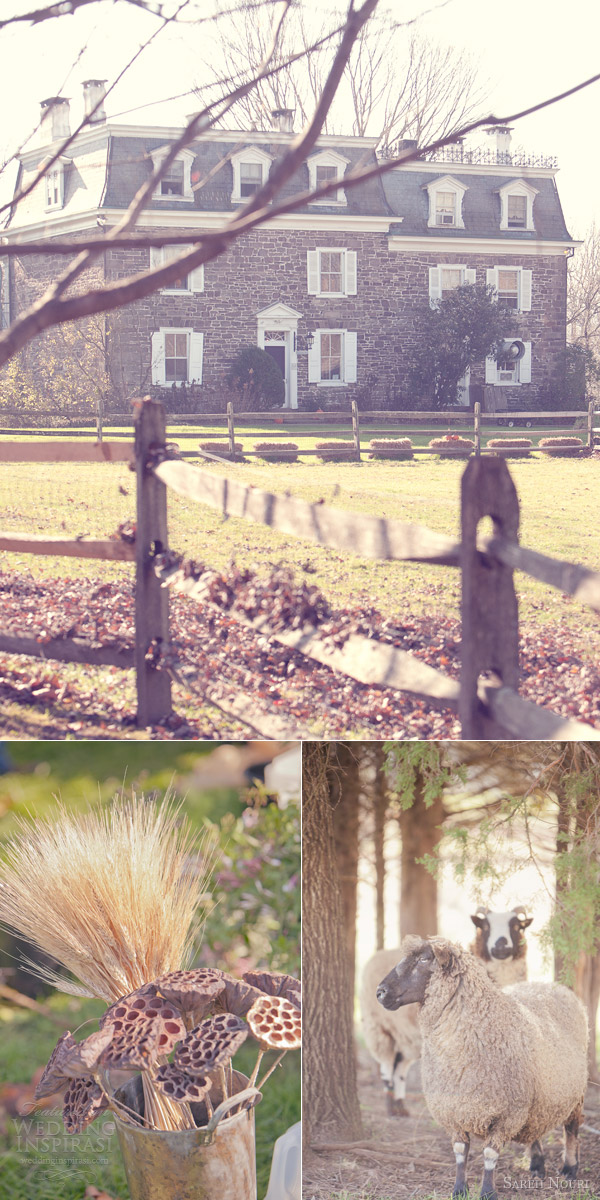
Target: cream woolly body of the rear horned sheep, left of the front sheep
[388, 1034]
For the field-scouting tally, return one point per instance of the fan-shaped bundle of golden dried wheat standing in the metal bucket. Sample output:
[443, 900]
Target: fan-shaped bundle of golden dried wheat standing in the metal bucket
[115, 896]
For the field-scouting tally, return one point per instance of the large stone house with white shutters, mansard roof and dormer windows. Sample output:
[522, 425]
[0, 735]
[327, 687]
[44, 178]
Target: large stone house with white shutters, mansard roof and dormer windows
[329, 290]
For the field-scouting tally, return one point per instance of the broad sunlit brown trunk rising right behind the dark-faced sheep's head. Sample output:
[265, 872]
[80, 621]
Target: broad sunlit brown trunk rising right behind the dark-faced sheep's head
[421, 830]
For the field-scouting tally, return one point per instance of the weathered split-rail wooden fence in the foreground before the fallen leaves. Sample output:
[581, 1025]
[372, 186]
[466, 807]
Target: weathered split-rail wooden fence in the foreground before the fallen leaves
[487, 697]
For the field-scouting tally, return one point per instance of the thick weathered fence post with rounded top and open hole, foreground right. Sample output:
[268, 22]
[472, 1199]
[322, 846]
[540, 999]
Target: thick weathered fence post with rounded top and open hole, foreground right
[490, 617]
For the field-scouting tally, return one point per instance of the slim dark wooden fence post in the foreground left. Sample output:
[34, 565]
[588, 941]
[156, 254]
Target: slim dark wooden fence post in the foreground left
[152, 538]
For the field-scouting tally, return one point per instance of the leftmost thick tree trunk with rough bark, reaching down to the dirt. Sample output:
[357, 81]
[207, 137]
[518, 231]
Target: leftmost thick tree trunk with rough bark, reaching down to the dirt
[329, 1075]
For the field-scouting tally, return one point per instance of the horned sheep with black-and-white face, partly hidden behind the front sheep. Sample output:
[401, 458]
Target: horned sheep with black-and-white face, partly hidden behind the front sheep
[394, 1040]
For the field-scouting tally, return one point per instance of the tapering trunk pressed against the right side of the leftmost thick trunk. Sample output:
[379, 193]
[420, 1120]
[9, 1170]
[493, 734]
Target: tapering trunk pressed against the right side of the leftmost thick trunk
[344, 791]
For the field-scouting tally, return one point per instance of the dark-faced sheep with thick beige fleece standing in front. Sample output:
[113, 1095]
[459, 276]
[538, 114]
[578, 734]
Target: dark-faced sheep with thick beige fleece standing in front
[500, 1065]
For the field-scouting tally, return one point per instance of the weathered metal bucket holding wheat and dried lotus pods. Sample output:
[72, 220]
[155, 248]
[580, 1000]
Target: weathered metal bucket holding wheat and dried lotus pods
[217, 1162]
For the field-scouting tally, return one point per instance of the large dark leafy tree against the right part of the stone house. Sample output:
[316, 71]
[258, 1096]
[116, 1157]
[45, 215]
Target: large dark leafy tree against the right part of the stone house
[463, 329]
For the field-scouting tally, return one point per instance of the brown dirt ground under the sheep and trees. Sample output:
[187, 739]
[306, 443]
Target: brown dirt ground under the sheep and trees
[409, 1159]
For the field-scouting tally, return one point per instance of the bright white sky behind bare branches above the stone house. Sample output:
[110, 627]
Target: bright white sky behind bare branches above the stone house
[527, 51]
